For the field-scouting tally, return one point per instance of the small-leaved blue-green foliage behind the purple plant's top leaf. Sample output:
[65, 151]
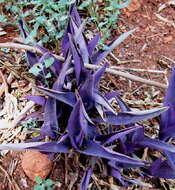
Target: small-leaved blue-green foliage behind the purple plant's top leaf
[49, 18]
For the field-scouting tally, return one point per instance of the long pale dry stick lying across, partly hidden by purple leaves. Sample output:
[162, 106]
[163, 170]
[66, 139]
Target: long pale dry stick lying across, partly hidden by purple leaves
[88, 66]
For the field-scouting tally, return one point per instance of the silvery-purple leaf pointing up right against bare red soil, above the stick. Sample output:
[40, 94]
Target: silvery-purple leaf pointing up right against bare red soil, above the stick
[101, 54]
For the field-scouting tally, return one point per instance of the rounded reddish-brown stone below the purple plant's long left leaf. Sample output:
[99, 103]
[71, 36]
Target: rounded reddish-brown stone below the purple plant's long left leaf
[35, 164]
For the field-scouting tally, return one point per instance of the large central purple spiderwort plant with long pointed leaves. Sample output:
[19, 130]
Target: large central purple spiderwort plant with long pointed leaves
[75, 111]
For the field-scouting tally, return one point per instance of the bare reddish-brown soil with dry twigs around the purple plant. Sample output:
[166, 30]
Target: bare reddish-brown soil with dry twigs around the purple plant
[151, 47]
